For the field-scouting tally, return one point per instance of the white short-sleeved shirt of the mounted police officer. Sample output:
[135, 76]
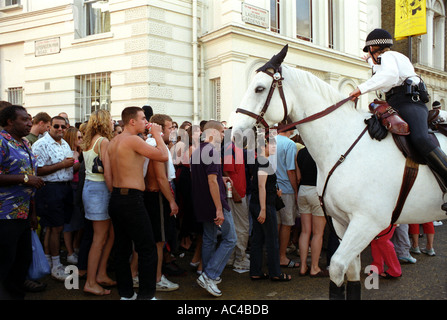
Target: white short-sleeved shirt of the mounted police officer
[391, 72]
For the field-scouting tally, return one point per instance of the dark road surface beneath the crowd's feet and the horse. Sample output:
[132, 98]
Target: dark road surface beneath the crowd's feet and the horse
[425, 280]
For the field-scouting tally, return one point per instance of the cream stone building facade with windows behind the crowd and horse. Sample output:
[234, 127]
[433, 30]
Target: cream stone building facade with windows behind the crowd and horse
[190, 59]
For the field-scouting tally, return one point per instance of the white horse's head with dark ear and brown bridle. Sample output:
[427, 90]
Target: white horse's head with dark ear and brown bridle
[264, 101]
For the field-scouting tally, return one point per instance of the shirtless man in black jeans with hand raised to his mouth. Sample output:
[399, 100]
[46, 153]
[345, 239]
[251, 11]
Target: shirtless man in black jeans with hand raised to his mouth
[124, 177]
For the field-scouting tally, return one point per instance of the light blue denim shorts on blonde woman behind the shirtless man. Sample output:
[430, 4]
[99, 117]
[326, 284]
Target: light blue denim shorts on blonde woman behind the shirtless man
[95, 197]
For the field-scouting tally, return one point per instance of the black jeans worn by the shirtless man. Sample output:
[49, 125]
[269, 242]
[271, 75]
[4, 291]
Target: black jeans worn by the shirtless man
[131, 224]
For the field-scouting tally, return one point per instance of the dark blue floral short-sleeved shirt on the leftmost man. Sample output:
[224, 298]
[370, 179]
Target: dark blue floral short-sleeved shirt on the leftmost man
[15, 158]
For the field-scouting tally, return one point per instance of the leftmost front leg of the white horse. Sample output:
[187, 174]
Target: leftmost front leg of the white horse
[358, 235]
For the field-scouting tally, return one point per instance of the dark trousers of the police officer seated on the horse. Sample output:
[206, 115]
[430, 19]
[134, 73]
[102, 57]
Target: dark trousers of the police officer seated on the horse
[416, 115]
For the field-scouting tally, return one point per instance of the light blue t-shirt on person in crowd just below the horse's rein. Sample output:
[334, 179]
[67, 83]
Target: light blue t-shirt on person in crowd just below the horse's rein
[284, 160]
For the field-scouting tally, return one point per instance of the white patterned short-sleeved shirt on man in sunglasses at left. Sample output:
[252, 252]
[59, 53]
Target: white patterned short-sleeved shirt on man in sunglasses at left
[49, 152]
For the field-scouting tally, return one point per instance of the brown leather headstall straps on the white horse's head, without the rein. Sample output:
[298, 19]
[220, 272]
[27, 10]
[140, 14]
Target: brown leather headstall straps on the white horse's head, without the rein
[276, 83]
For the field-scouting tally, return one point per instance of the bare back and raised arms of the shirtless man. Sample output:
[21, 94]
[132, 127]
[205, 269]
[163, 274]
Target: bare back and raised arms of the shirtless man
[126, 154]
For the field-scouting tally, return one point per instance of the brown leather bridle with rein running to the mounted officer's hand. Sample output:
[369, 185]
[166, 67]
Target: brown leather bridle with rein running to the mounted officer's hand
[277, 83]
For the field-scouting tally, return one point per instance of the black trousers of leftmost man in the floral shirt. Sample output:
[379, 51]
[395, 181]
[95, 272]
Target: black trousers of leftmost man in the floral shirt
[15, 257]
